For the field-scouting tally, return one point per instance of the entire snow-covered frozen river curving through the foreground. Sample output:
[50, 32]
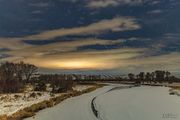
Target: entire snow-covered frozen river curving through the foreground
[137, 103]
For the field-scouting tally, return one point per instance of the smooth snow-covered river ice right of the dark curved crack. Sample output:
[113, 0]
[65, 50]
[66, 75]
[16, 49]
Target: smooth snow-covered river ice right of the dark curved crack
[139, 103]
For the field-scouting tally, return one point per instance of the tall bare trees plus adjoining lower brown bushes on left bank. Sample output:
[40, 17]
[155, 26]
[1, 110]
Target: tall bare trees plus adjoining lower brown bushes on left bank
[14, 77]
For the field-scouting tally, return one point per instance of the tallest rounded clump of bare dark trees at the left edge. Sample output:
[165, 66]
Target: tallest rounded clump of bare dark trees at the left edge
[12, 75]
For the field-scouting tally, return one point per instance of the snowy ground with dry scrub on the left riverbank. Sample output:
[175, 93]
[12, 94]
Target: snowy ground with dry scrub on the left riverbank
[11, 103]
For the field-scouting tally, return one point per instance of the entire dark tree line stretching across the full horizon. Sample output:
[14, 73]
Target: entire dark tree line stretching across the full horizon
[14, 77]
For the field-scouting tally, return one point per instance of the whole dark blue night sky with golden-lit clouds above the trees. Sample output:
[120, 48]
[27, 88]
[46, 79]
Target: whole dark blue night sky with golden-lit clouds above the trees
[92, 36]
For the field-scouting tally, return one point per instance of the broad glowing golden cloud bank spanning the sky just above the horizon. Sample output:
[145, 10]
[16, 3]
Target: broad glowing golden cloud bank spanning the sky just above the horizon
[63, 56]
